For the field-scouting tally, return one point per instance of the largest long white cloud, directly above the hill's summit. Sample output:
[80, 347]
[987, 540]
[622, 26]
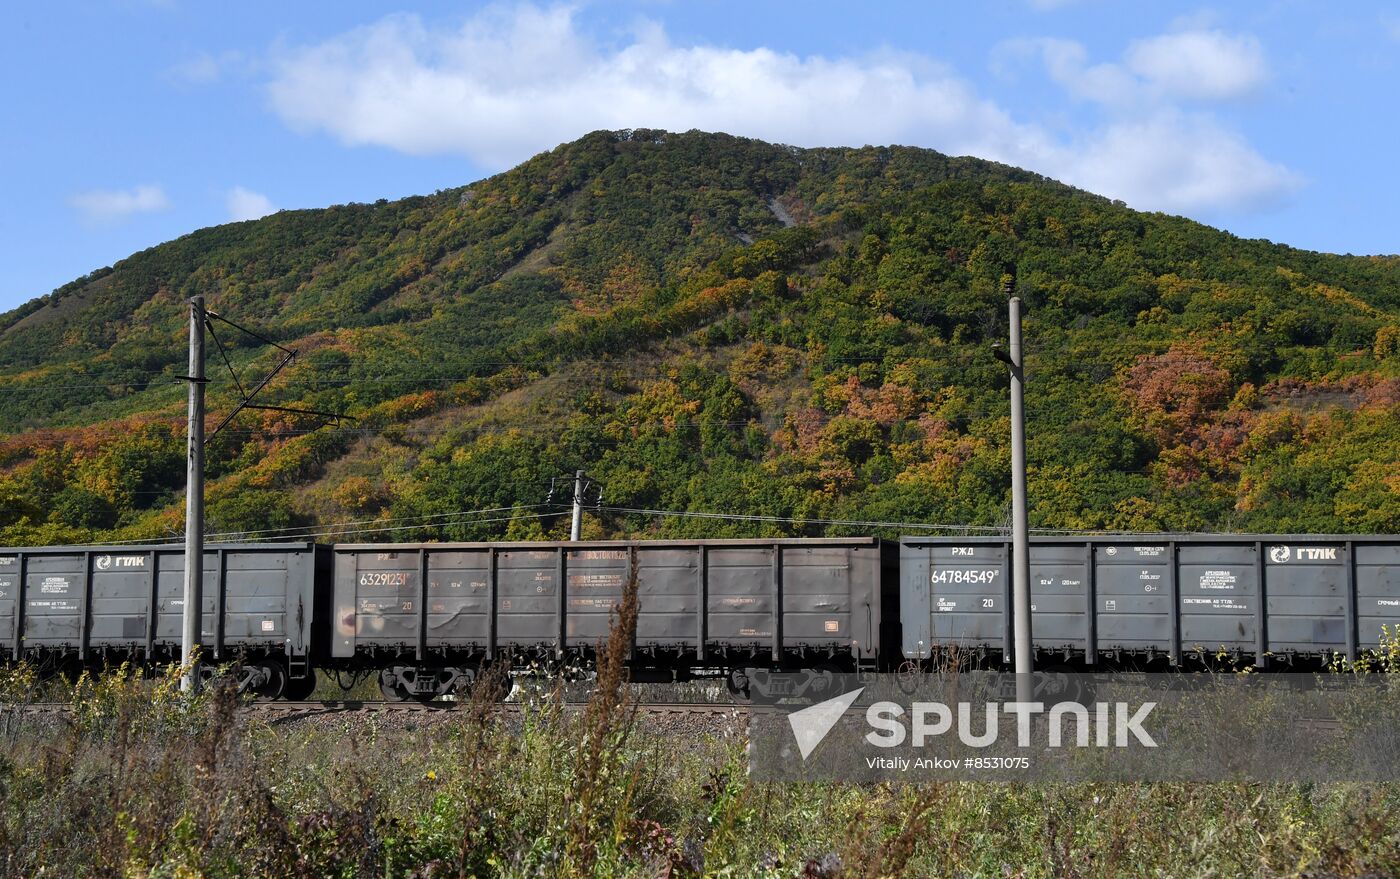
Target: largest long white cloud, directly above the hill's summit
[505, 87]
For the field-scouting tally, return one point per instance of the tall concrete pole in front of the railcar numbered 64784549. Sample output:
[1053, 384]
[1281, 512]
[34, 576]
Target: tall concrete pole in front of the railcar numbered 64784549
[1020, 527]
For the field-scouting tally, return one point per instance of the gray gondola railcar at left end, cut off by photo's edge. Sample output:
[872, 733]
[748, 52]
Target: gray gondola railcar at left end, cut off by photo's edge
[80, 607]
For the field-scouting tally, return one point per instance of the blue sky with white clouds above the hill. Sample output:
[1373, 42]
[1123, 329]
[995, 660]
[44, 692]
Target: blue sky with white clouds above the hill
[125, 124]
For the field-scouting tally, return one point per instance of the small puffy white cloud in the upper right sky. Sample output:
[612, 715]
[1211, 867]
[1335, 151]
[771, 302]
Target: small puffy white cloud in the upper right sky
[1200, 65]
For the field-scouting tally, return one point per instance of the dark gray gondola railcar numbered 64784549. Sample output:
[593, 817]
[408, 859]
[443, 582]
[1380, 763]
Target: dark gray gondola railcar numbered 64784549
[1248, 596]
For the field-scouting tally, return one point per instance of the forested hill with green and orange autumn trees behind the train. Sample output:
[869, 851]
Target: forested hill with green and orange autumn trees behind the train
[709, 324]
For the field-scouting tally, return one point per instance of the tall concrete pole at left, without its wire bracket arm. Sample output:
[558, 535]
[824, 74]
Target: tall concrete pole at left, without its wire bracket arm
[194, 499]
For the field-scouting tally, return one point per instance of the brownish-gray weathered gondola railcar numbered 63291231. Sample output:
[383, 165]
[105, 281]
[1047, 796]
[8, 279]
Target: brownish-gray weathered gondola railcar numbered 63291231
[443, 610]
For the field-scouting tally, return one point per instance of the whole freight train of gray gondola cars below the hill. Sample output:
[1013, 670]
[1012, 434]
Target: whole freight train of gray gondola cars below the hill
[429, 618]
